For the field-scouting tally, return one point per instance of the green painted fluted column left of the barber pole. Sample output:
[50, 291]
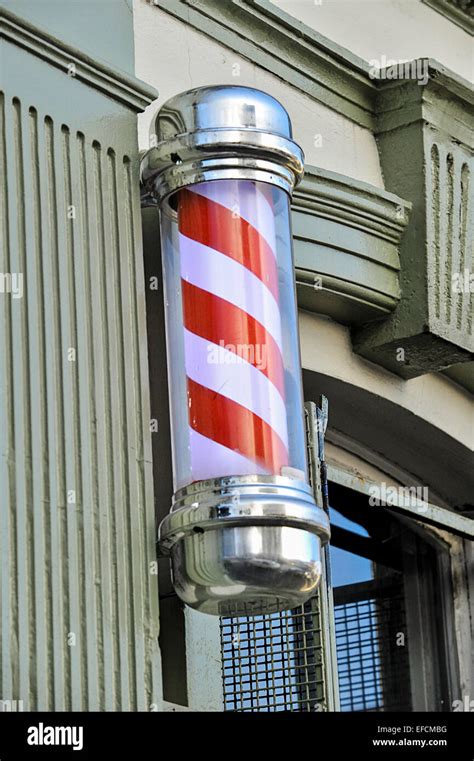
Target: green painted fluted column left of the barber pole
[78, 591]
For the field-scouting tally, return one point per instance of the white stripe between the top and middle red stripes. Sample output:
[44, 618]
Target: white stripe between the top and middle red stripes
[218, 274]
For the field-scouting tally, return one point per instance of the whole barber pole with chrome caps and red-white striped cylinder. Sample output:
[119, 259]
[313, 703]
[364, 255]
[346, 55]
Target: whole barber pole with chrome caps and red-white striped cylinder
[244, 534]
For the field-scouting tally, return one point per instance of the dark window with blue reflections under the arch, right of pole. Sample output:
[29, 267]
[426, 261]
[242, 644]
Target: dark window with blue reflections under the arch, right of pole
[389, 614]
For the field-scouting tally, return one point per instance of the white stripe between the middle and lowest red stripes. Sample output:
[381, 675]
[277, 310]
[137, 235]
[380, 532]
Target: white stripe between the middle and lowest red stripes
[224, 372]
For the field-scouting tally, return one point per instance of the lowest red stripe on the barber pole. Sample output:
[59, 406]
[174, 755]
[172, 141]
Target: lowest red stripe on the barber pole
[235, 427]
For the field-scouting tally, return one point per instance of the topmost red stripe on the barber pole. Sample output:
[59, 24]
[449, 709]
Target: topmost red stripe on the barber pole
[214, 225]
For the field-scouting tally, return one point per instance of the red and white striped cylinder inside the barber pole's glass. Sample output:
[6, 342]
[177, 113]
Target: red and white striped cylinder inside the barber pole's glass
[232, 328]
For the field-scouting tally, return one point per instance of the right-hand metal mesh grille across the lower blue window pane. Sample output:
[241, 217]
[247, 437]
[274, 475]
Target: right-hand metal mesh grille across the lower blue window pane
[372, 647]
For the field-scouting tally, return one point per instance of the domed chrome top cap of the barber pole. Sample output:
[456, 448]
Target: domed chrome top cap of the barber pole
[220, 132]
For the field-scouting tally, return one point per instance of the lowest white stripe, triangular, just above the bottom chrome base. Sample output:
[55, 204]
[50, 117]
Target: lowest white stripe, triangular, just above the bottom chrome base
[209, 459]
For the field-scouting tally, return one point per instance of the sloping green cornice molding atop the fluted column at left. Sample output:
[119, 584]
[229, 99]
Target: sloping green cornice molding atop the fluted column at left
[129, 91]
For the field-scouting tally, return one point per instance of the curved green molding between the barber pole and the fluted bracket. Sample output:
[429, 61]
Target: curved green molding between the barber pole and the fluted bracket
[346, 238]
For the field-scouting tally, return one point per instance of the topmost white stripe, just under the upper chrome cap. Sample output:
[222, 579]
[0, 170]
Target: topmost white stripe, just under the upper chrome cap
[245, 198]
